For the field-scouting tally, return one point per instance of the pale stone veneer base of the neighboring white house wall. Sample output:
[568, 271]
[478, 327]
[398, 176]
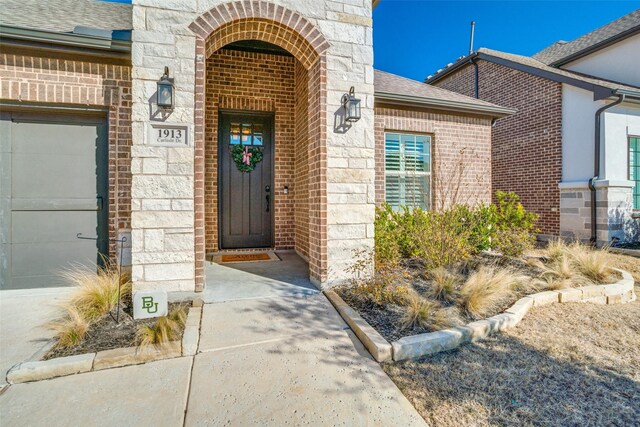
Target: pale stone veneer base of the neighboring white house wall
[613, 208]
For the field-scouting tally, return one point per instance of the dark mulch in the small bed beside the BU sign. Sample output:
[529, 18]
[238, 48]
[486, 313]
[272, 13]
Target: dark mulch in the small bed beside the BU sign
[106, 334]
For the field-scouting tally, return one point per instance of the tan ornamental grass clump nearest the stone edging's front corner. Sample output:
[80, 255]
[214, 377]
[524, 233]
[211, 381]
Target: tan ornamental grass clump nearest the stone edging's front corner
[421, 312]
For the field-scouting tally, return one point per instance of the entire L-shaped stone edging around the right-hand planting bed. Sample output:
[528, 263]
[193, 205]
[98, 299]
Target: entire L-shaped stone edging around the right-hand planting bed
[434, 342]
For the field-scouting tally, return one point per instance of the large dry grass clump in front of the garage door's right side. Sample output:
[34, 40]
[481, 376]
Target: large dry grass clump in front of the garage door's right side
[96, 293]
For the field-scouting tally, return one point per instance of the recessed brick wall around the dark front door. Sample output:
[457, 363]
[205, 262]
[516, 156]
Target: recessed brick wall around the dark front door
[255, 82]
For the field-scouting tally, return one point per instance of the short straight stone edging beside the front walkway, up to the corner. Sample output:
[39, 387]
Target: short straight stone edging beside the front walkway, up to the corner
[379, 347]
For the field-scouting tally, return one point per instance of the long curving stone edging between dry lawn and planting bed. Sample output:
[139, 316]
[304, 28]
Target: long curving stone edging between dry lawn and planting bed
[434, 342]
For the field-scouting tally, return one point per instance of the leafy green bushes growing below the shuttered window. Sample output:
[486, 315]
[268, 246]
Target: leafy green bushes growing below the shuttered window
[443, 238]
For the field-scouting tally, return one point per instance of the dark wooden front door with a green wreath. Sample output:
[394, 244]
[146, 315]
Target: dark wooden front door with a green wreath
[246, 198]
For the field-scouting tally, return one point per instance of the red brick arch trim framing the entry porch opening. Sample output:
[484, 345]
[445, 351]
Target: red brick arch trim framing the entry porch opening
[258, 20]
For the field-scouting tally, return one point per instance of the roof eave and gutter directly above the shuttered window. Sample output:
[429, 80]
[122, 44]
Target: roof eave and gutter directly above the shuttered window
[440, 104]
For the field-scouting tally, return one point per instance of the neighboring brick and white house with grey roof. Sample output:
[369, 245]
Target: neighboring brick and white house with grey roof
[575, 101]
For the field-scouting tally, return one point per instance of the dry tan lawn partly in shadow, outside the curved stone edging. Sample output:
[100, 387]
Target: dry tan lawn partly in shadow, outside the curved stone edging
[564, 365]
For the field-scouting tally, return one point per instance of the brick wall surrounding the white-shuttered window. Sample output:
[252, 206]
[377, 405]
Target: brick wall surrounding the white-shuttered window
[457, 139]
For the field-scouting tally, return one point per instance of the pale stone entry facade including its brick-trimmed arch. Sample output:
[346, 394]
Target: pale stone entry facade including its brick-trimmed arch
[333, 40]
